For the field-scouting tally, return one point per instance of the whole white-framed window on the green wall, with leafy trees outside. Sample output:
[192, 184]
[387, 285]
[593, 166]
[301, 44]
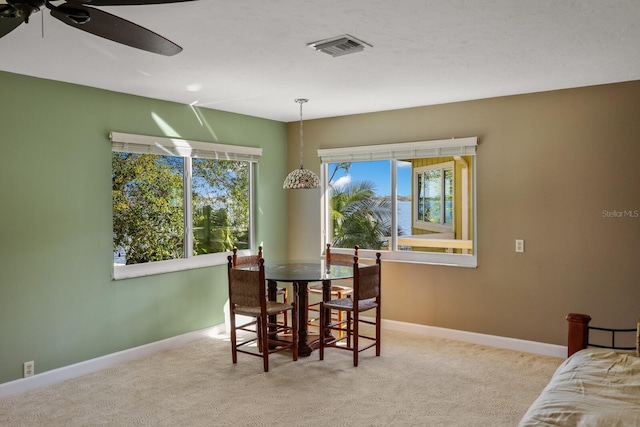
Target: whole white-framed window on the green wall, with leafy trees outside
[178, 204]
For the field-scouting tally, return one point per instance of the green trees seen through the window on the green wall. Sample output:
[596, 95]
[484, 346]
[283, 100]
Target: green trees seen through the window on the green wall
[148, 206]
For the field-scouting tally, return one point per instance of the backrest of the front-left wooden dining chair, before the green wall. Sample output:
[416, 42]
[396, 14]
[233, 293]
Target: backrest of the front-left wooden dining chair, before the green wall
[247, 286]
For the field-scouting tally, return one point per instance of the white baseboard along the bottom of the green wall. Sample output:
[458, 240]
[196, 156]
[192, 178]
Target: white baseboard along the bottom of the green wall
[64, 373]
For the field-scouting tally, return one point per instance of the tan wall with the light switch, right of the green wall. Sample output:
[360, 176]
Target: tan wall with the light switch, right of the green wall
[548, 165]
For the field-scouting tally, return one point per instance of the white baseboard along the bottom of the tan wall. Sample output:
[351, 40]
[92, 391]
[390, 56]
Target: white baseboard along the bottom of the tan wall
[476, 338]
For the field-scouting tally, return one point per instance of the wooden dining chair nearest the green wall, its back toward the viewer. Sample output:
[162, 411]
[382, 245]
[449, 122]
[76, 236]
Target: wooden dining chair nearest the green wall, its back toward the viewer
[248, 297]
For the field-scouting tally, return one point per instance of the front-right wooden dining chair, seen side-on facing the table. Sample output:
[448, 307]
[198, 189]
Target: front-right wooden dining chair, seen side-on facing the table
[366, 296]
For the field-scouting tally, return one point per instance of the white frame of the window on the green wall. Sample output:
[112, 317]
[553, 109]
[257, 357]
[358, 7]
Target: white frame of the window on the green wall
[143, 144]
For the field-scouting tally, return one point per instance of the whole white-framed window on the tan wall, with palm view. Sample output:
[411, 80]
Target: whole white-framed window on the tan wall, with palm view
[414, 201]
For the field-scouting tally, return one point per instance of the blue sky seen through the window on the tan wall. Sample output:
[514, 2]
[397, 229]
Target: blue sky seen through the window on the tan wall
[379, 173]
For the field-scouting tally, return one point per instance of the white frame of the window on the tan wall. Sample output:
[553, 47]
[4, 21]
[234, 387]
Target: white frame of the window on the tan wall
[394, 152]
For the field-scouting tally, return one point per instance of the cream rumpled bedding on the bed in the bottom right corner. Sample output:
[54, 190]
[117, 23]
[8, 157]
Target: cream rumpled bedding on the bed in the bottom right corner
[594, 387]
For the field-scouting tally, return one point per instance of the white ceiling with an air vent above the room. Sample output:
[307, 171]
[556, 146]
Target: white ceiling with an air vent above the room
[250, 56]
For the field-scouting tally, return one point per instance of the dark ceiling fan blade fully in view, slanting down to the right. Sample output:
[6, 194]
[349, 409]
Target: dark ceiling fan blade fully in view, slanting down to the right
[114, 28]
